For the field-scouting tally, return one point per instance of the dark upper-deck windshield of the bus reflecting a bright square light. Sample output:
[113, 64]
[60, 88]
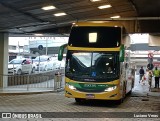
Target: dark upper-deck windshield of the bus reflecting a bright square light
[97, 37]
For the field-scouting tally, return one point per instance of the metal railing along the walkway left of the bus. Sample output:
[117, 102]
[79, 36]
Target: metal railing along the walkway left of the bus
[46, 81]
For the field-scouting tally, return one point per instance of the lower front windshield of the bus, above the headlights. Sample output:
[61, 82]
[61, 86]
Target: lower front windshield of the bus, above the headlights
[92, 66]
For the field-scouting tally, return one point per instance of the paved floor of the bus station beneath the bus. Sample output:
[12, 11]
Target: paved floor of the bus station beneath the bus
[140, 101]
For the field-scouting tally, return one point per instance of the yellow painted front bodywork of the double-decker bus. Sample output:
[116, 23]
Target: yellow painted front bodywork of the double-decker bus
[111, 95]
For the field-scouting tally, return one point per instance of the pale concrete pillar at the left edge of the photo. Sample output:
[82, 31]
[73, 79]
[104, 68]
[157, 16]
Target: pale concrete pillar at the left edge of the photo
[3, 59]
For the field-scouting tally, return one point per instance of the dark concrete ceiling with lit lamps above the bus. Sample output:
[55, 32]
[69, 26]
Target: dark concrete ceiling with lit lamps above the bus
[27, 17]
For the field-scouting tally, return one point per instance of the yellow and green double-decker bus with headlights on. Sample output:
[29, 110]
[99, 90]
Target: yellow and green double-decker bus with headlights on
[97, 62]
